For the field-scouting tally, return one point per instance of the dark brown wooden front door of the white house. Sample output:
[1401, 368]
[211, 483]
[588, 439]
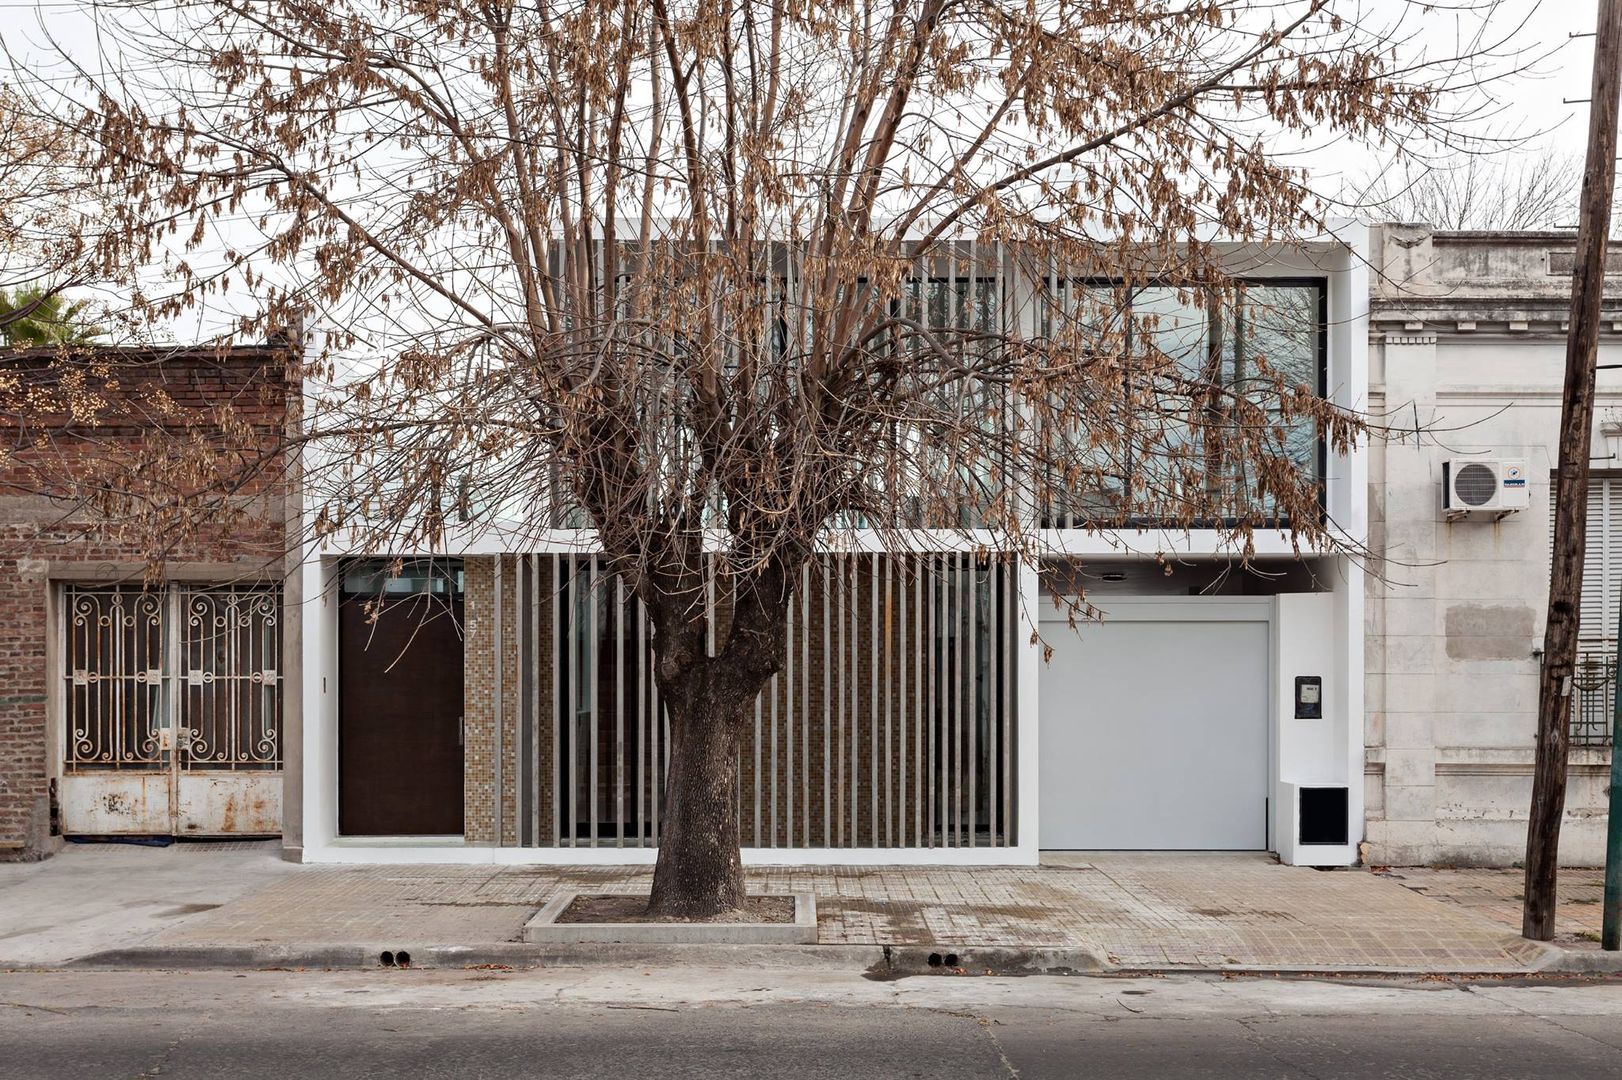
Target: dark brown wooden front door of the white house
[400, 745]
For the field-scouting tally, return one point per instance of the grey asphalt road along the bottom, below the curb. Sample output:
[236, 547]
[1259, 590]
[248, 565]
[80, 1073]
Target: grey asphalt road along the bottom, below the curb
[786, 1024]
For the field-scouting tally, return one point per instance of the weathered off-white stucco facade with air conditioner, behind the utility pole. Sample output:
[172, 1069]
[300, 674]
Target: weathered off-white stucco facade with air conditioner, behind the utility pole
[1467, 361]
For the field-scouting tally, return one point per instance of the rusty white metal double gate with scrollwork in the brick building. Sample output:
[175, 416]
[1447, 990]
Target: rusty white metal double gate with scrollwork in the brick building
[173, 711]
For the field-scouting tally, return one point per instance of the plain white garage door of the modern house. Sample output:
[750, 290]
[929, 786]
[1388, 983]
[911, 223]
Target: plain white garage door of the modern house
[1154, 735]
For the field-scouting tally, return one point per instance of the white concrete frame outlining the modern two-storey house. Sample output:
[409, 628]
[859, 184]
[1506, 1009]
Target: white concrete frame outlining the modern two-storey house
[1341, 259]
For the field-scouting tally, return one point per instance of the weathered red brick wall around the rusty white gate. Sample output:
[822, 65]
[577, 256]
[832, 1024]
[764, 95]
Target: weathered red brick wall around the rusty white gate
[46, 539]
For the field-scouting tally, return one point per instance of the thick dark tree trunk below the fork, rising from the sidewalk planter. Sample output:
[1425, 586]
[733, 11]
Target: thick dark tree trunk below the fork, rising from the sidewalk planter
[700, 870]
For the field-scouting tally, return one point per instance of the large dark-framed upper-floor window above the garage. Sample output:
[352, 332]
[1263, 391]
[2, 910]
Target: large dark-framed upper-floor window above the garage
[1177, 439]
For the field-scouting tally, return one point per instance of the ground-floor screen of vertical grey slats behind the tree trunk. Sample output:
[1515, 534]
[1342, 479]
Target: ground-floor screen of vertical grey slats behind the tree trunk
[890, 726]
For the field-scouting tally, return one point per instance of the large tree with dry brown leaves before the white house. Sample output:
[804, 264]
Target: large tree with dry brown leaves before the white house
[698, 275]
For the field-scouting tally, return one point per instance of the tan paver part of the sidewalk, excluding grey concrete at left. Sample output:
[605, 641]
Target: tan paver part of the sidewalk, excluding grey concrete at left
[1143, 911]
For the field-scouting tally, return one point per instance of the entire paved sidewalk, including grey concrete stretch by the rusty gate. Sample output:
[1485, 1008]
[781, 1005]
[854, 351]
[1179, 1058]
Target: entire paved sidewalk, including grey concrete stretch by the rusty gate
[1131, 911]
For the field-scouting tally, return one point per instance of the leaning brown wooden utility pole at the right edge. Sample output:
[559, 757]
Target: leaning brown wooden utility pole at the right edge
[1571, 507]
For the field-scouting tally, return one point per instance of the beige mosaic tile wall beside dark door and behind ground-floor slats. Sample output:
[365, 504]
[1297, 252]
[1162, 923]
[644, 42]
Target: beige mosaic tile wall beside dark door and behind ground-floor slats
[875, 768]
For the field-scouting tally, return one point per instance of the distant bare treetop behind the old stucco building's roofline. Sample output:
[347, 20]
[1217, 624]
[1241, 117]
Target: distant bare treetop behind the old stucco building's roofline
[1477, 191]
